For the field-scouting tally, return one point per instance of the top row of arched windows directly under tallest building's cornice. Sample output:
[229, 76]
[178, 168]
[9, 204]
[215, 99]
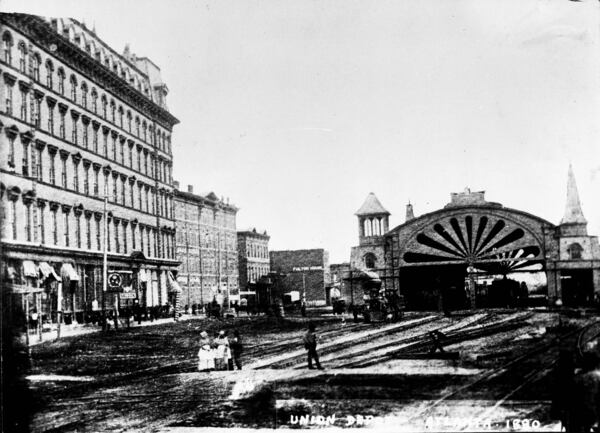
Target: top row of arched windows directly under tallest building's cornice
[86, 97]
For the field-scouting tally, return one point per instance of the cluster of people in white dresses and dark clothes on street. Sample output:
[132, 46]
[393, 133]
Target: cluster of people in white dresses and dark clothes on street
[220, 352]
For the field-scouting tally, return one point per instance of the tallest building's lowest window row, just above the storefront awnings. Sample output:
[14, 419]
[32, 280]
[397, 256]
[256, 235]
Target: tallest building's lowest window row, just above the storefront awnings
[72, 227]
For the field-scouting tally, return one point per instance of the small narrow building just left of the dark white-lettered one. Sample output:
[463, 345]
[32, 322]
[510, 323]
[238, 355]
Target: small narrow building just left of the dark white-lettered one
[253, 259]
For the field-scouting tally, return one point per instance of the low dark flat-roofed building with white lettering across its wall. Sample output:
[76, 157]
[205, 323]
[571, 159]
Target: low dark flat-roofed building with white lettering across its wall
[307, 273]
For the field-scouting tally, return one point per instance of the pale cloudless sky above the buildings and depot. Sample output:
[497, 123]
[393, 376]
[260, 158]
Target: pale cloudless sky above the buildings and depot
[296, 109]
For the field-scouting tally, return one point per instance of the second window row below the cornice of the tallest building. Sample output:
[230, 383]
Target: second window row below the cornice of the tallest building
[91, 136]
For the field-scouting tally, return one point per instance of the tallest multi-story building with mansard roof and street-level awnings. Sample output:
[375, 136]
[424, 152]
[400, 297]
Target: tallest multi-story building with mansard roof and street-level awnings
[80, 121]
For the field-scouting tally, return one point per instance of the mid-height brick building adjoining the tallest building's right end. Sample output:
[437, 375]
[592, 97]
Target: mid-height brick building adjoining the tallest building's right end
[206, 247]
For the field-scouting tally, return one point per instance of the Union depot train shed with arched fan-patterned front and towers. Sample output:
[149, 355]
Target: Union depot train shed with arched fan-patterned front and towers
[475, 253]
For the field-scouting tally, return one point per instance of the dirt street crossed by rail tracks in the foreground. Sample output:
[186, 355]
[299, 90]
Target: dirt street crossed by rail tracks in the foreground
[495, 368]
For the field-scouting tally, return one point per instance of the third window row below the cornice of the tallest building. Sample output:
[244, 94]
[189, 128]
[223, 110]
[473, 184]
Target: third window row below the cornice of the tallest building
[74, 173]
